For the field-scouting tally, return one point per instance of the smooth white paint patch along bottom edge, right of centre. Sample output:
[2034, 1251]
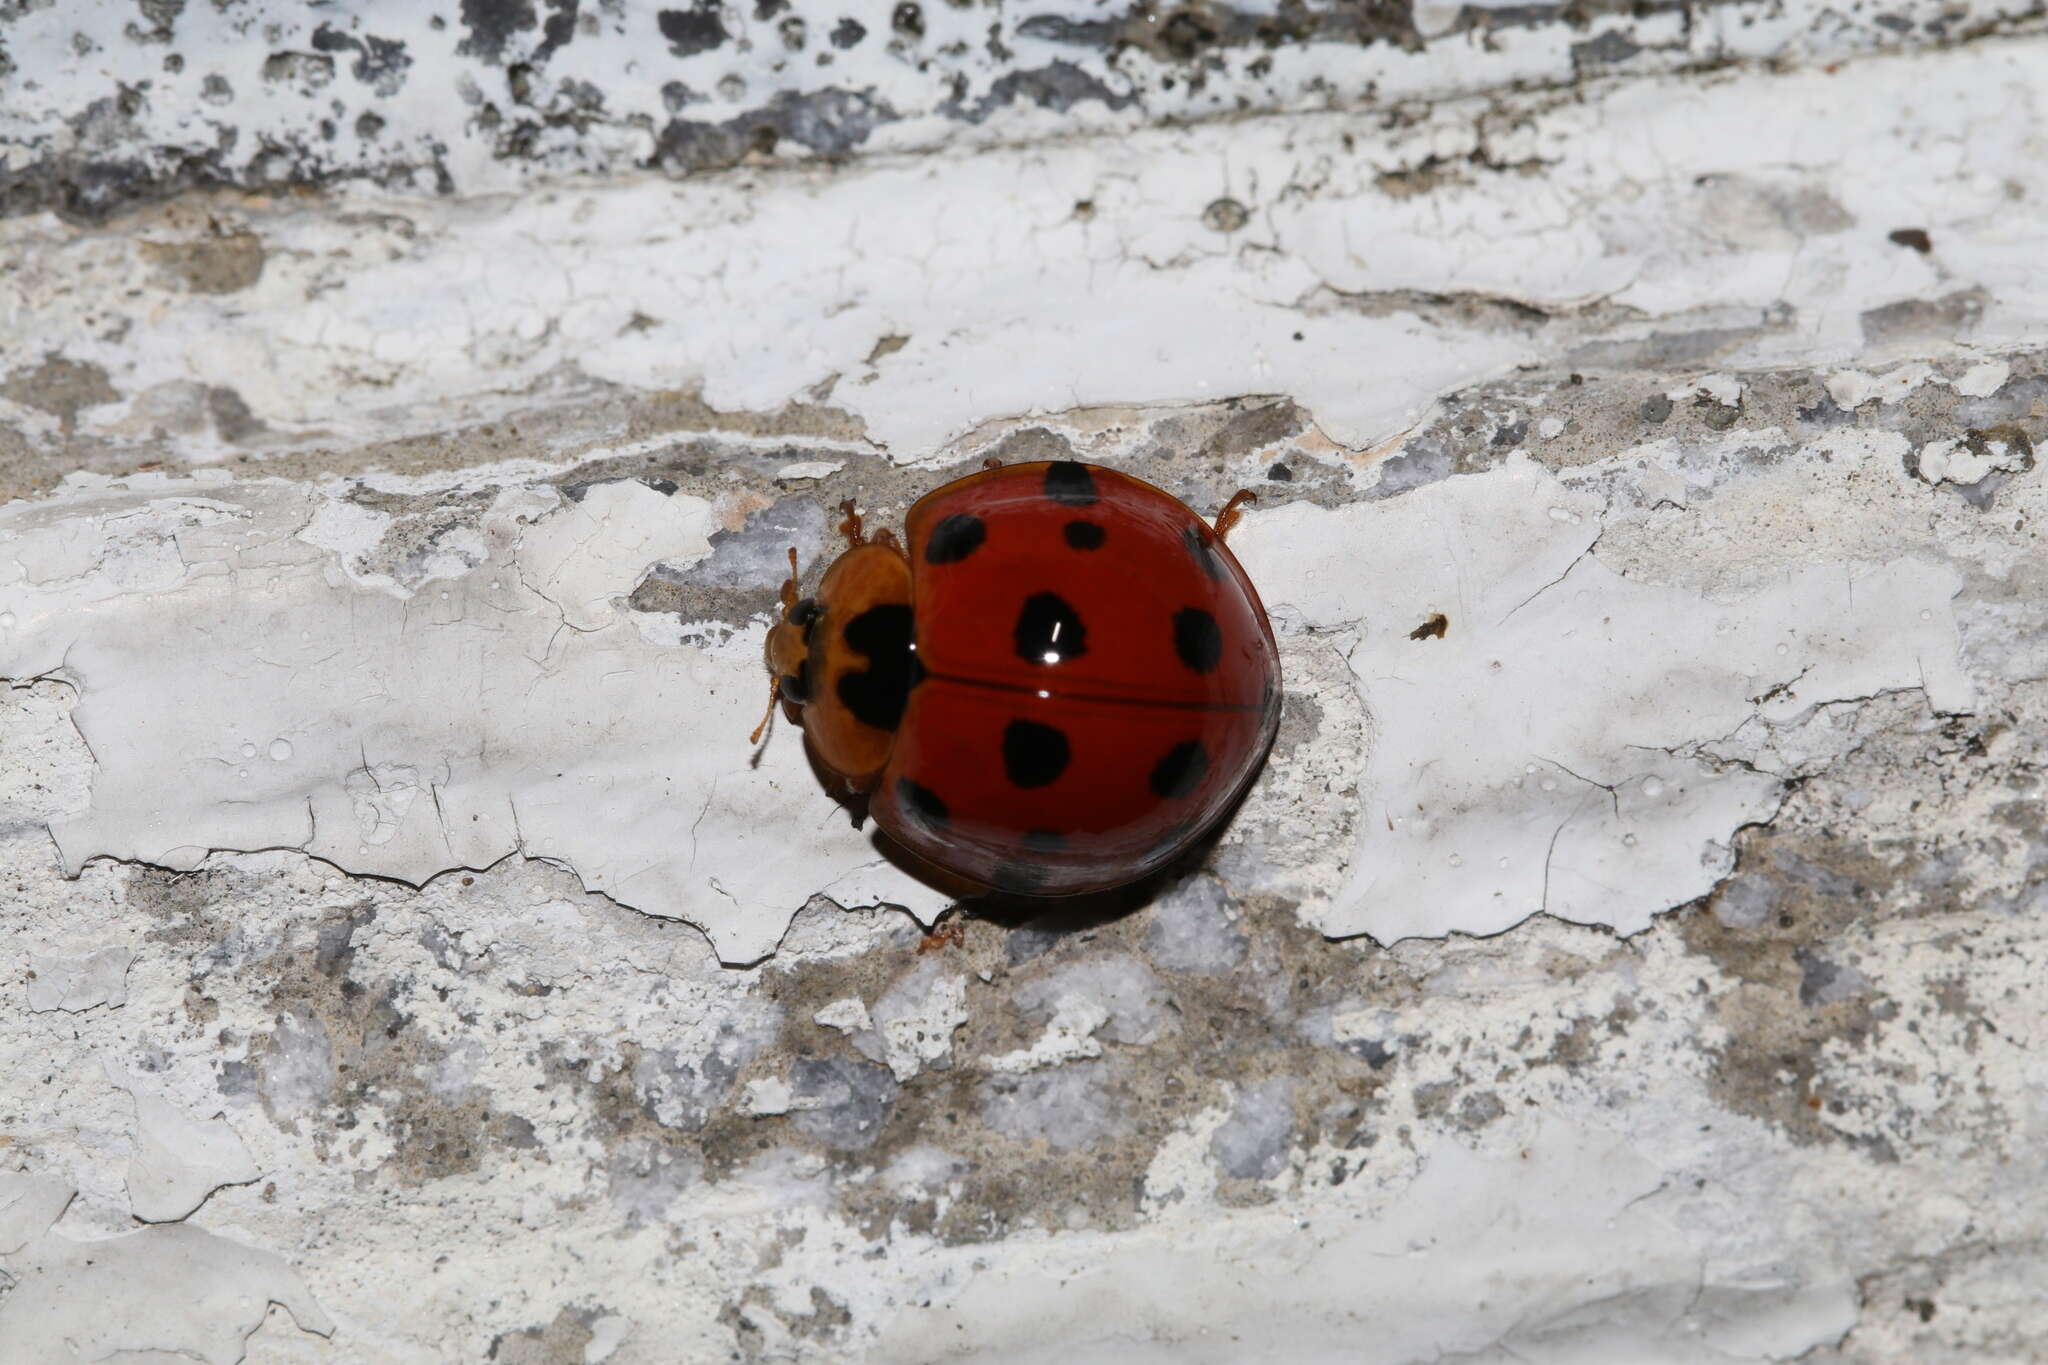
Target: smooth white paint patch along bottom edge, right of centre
[1576, 1253]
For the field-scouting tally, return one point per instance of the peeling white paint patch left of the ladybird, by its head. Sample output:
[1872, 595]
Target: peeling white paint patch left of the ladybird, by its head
[505, 711]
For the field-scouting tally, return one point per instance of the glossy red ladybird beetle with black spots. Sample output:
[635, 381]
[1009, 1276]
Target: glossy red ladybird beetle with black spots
[1054, 687]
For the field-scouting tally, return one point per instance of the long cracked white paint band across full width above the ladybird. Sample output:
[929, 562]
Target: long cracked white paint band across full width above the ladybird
[413, 310]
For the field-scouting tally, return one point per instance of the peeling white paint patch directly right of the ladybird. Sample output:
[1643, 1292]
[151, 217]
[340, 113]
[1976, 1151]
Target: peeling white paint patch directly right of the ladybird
[1545, 754]
